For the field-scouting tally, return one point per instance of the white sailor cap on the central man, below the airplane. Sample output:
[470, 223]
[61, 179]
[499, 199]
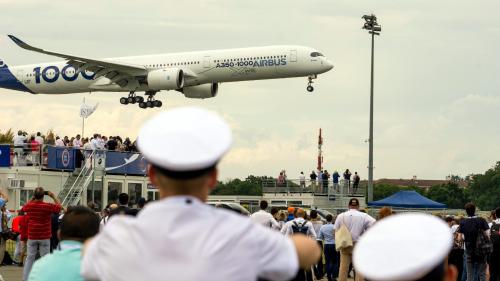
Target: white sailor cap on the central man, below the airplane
[184, 142]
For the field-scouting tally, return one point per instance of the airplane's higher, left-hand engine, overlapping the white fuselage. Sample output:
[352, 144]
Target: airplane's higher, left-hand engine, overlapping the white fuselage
[166, 79]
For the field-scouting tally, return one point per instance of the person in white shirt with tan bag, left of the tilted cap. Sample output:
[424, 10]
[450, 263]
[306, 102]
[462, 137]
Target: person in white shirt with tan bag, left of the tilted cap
[357, 223]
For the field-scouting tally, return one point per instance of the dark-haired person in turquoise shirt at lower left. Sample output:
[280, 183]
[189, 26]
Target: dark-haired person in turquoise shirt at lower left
[78, 224]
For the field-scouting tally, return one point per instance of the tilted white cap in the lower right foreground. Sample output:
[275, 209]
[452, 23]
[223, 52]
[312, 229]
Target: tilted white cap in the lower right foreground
[404, 247]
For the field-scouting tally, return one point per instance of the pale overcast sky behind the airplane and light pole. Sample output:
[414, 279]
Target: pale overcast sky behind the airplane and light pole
[437, 105]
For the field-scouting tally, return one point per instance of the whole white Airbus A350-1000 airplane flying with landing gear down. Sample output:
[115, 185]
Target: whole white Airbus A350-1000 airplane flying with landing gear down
[195, 74]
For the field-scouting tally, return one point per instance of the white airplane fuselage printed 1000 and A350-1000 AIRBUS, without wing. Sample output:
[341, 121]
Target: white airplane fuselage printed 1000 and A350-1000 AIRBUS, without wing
[202, 67]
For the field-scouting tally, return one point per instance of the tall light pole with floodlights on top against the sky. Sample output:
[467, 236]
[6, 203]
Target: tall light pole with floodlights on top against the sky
[374, 29]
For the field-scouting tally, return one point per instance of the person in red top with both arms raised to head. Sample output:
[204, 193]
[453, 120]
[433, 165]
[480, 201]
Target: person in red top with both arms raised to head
[39, 226]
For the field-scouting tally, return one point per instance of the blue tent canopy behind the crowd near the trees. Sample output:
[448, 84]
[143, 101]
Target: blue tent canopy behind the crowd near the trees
[408, 199]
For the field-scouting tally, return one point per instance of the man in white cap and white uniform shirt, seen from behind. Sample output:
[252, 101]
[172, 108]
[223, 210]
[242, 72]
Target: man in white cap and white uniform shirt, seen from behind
[180, 237]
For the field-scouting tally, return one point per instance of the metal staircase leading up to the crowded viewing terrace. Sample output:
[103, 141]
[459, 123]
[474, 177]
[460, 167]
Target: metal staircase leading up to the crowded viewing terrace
[77, 183]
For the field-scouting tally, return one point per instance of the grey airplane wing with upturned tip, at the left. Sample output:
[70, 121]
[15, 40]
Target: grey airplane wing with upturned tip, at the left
[120, 73]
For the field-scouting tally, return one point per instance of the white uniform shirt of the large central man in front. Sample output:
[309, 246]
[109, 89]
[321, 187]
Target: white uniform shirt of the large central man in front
[180, 238]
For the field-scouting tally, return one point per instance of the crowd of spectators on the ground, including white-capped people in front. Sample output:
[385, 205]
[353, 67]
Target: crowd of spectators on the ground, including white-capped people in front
[181, 238]
